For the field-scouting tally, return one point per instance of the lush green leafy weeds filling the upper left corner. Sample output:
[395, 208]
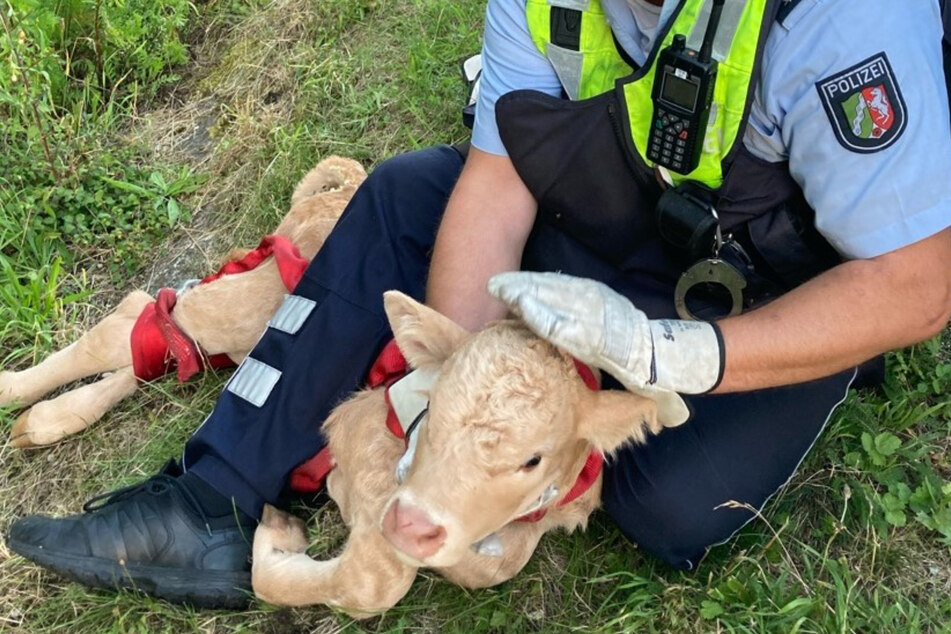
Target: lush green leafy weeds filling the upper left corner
[75, 196]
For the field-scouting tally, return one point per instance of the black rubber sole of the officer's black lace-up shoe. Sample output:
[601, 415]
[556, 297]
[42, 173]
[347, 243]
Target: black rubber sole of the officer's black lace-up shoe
[205, 589]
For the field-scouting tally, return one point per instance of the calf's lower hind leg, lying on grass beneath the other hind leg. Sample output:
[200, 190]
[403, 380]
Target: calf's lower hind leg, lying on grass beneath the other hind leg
[48, 422]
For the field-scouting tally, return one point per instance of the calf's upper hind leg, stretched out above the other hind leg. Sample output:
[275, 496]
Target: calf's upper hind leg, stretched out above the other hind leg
[104, 348]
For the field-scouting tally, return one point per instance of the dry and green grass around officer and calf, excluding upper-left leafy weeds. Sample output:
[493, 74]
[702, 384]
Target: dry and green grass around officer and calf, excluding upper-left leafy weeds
[857, 542]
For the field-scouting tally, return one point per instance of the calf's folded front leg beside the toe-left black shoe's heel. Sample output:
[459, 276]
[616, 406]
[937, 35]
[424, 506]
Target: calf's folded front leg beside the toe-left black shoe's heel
[365, 579]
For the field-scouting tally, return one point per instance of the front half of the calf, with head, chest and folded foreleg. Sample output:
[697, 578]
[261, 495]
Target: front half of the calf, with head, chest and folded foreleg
[509, 422]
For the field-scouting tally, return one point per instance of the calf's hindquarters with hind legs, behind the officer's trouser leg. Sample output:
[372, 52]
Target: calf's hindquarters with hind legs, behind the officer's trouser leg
[216, 316]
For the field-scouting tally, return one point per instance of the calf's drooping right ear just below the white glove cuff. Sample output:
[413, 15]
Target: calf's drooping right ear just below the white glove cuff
[611, 418]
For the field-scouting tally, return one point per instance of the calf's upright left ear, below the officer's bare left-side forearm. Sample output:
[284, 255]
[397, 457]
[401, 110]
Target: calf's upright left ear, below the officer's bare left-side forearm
[424, 336]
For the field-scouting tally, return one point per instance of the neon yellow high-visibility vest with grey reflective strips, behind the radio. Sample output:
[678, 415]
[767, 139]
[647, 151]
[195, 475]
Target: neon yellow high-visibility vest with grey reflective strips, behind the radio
[576, 37]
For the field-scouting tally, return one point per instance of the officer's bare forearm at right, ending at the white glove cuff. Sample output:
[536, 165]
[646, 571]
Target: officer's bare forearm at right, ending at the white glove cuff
[841, 318]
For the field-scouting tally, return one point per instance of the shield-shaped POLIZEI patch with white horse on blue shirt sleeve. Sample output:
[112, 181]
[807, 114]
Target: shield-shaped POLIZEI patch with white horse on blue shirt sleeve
[864, 105]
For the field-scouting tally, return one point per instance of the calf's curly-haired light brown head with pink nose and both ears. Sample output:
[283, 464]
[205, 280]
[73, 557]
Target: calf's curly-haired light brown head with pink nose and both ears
[509, 426]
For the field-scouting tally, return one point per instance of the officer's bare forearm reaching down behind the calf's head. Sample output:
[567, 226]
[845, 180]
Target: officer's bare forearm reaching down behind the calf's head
[483, 232]
